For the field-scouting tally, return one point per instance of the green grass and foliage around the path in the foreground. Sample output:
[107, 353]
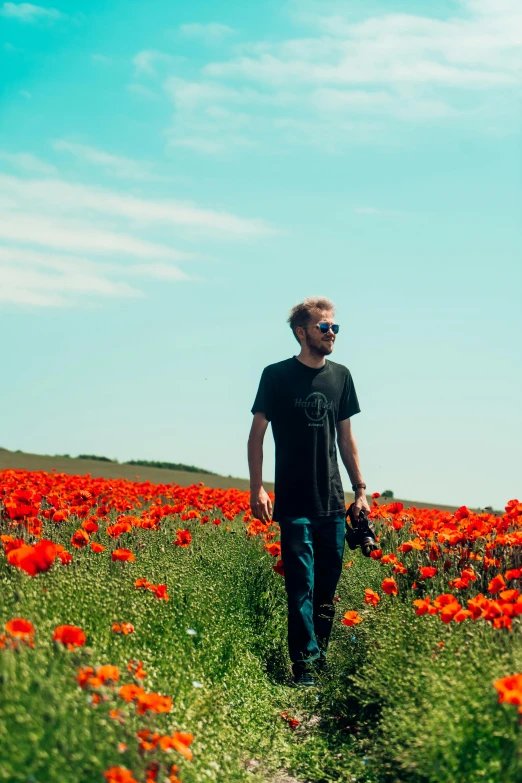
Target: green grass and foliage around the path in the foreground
[393, 707]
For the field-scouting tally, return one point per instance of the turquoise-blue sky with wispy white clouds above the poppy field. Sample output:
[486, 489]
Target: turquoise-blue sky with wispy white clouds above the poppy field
[175, 177]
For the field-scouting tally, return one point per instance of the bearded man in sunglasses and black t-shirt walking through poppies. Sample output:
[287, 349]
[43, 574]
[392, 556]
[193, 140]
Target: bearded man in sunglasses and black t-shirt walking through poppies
[309, 401]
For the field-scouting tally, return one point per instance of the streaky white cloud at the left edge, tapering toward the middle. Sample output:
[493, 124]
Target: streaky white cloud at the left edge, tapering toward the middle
[66, 244]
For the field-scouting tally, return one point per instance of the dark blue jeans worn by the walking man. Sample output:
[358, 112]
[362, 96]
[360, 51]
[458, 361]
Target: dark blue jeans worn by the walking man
[312, 552]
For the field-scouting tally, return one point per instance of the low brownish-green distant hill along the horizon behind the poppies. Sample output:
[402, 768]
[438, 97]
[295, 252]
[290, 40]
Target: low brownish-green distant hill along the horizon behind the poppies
[105, 468]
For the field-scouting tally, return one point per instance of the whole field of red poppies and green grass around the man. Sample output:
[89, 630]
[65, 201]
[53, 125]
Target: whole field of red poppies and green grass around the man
[143, 638]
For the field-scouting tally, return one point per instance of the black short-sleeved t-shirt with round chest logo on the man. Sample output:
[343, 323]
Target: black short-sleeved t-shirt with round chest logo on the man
[304, 404]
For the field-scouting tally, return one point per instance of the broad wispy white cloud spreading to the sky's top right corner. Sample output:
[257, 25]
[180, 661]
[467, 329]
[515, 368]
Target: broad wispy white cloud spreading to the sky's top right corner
[386, 68]
